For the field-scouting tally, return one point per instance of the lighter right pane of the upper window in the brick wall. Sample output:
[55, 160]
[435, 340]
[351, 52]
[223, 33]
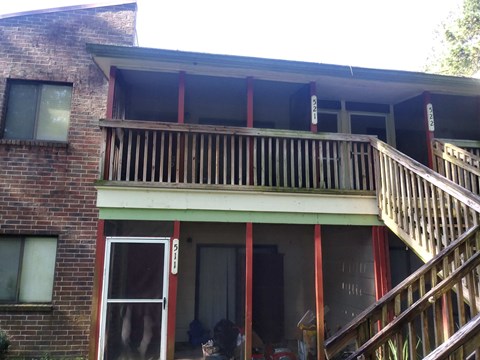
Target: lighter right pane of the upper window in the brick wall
[54, 112]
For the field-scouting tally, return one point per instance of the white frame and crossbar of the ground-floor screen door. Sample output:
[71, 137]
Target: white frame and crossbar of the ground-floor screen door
[105, 301]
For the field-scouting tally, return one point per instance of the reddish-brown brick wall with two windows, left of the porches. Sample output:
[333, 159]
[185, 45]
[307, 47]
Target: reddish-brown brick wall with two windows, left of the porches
[48, 189]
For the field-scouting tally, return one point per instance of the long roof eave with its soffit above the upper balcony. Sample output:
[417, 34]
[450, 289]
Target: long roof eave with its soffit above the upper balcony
[334, 82]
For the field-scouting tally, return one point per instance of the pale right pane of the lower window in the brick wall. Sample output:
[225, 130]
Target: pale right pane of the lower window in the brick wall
[38, 267]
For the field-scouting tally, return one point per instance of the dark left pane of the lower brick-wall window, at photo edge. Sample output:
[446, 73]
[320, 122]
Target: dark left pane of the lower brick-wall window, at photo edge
[9, 262]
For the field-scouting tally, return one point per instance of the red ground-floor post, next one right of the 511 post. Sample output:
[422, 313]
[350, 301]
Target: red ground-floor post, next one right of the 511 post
[248, 289]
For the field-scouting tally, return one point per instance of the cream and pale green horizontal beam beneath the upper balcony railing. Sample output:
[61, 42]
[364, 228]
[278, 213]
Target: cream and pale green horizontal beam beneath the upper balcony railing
[185, 204]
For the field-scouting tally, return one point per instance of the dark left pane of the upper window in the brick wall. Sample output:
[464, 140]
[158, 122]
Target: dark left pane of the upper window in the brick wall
[20, 119]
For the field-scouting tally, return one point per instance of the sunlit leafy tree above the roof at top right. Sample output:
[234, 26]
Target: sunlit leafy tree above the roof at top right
[459, 52]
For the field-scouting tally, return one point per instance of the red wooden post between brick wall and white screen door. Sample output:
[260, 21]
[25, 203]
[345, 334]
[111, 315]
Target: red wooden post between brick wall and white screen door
[97, 289]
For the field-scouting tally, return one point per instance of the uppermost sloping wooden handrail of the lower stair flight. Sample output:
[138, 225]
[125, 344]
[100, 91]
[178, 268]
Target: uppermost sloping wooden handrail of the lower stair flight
[340, 340]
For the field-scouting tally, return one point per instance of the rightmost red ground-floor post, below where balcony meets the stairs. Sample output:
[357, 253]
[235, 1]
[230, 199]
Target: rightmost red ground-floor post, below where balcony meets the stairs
[381, 261]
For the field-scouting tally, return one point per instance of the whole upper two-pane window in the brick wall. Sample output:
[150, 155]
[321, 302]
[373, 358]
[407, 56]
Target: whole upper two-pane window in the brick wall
[37, 111]
